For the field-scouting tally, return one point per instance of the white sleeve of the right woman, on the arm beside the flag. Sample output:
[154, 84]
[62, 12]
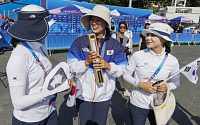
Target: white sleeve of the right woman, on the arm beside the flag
[175, 81]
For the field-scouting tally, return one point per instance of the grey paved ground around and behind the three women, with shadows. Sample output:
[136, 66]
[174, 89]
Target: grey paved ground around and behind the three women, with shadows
[187, 95]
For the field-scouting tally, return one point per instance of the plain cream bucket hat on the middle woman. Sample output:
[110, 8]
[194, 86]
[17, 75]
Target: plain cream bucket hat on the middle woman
[99, 11]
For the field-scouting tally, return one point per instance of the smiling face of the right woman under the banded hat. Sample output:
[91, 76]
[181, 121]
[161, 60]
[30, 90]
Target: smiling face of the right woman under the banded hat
[154, 42]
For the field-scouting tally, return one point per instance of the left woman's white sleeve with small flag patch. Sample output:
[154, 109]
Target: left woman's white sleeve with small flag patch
[17, 74]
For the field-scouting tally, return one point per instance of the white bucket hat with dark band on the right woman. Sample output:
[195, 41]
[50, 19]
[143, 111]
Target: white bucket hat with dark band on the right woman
[160, 29]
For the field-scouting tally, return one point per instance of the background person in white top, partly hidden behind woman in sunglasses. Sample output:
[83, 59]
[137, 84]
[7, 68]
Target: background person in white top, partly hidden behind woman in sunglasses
[128, 33]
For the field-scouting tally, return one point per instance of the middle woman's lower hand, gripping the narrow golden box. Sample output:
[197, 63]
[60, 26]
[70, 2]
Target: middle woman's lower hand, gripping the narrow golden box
[101, 64]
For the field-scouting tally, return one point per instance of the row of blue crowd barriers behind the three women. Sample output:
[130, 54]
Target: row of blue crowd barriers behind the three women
[64, 40]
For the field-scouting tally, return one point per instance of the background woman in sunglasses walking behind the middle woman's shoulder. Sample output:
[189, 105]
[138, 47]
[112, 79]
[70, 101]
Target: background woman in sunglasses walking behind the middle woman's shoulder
[124, 41]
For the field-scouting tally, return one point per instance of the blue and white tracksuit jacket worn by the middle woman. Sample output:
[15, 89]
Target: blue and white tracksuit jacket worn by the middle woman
[114, 54]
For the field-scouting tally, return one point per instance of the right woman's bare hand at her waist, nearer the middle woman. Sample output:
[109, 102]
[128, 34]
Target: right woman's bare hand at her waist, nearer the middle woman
[147, 86]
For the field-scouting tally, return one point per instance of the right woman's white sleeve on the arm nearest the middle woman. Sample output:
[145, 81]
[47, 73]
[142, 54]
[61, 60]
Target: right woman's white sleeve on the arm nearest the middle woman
[130, 68]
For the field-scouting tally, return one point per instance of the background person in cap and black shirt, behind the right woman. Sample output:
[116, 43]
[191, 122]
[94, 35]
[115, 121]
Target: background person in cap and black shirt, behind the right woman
[142, 42]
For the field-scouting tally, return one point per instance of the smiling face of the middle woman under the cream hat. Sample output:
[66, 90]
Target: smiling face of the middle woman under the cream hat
[98, 25]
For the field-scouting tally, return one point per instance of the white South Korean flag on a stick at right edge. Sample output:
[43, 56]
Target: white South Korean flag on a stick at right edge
[190, 70]
